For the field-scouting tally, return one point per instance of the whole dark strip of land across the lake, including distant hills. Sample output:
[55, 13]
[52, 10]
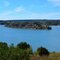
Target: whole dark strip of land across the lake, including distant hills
[31, 24]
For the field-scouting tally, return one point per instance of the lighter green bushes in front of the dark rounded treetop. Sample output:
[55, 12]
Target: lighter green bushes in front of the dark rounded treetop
[15, 53]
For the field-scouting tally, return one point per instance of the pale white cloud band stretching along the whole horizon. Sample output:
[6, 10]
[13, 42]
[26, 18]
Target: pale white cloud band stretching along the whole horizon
[7, 16]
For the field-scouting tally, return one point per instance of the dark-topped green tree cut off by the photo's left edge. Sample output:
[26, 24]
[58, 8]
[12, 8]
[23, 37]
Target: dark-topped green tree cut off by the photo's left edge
[3, 51]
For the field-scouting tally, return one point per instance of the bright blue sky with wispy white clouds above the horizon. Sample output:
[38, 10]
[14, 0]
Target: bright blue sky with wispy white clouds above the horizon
[29, 9]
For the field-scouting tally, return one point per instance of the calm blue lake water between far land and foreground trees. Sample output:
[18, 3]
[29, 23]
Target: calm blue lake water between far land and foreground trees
[36, 38]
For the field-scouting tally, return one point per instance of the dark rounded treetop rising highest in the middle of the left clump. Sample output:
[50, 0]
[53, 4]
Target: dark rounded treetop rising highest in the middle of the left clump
[25, 46]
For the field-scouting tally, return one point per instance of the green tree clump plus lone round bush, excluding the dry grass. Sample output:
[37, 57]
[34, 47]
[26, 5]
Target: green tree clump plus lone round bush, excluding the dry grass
[21, 51]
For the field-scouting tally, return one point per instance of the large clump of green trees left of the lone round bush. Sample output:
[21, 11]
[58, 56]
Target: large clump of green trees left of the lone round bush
[20, 52]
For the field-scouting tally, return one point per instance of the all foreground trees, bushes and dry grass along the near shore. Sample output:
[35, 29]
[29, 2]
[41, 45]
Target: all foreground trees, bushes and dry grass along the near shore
[23, 51]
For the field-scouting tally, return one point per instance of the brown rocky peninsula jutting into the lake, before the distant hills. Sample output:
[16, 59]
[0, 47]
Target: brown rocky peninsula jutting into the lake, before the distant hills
[27, 25]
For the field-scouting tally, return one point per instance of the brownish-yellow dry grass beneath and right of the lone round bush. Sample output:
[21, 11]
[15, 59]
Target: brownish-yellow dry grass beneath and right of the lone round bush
[52, 56]
